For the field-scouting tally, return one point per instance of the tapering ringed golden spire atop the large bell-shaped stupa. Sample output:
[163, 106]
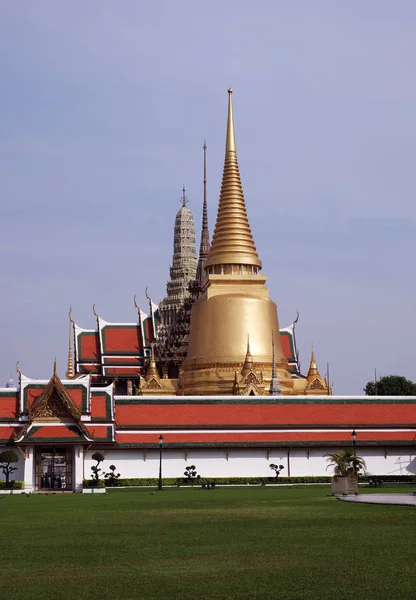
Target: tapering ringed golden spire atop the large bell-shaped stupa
[232, 243]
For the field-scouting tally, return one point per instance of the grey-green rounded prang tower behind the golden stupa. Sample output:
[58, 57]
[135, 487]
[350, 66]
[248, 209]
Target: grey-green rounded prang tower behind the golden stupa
[183, 269]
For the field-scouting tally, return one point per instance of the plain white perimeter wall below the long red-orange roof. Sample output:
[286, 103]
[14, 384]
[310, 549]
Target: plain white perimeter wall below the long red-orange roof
[247, 462]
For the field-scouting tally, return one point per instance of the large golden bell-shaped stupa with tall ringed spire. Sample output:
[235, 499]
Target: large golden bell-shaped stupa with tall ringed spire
[234, 303]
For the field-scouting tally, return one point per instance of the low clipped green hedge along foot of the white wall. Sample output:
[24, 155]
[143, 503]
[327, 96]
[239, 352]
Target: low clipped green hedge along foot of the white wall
[180, 481]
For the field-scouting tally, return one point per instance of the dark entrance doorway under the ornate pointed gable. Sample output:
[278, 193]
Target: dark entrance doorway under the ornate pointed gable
[54, 468]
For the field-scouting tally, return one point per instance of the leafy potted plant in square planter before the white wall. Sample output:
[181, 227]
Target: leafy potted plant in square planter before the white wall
[346, 466]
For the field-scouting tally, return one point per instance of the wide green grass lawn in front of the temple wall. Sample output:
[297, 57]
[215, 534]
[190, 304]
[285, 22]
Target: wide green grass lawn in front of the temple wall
[263, 543]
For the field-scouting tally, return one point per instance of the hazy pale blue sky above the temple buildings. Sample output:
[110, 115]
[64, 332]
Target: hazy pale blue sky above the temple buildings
[103, 112]
